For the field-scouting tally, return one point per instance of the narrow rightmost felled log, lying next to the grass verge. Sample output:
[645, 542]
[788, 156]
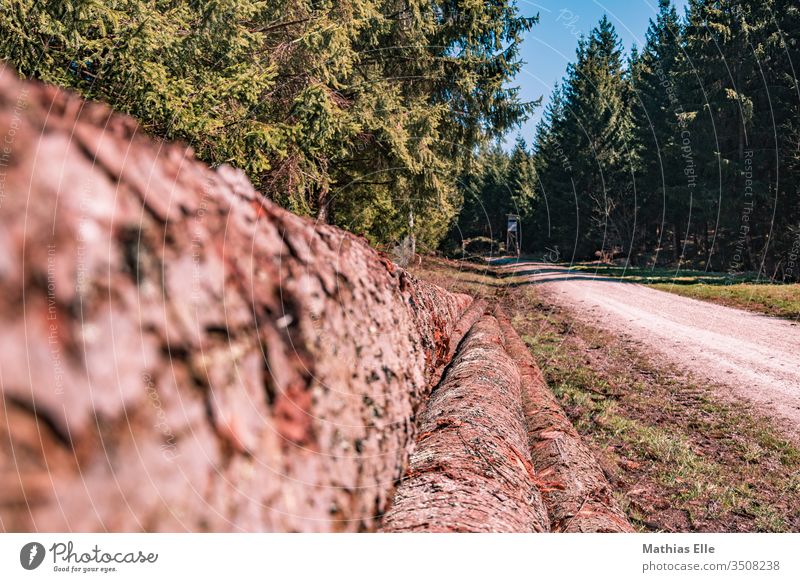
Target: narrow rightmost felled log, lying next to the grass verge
[577, 495]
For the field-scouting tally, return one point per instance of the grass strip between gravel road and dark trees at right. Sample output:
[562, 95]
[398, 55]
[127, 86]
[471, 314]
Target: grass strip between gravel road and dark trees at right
[743, 290]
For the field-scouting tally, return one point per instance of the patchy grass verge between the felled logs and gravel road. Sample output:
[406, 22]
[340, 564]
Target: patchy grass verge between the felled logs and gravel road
[680, 456]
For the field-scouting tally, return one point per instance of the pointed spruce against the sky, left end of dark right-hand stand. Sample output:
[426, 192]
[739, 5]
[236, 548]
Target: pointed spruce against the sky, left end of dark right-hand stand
[593, 135]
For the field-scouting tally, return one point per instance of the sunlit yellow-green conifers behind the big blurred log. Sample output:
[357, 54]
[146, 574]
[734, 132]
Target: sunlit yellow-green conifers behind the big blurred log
[363, 113]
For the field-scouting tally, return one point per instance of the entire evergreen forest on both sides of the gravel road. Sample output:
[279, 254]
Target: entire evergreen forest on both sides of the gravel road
[380, 116]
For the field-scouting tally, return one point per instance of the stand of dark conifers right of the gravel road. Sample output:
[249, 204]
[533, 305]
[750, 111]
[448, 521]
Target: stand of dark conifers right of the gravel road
[687, 152]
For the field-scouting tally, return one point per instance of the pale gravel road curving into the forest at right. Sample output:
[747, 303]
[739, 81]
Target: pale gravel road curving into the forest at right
[755, 356]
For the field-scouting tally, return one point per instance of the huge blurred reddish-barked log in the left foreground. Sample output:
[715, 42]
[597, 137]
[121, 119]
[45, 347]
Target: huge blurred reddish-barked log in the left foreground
[179, 354]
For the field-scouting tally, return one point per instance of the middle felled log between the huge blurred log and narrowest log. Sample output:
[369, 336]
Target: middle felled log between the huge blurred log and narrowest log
[471, 469]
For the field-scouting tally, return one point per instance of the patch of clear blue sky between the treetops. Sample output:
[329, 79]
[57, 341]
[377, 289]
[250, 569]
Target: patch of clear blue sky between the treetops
[550, 45]
